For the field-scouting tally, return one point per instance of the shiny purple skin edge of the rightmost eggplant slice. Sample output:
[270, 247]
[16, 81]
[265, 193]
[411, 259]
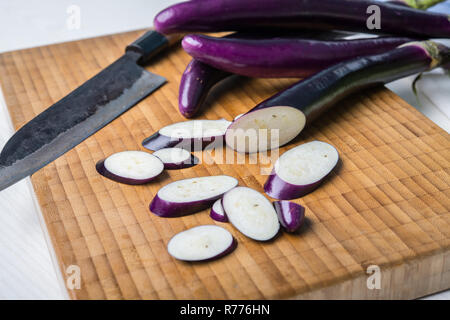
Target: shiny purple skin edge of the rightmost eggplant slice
[277, 188]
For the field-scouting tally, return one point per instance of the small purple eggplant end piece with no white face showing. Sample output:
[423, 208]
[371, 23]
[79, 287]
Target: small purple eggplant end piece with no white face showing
[290, 214]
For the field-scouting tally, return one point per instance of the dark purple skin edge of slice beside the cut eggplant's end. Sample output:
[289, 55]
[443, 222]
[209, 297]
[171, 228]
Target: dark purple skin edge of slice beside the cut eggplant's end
[158, 141]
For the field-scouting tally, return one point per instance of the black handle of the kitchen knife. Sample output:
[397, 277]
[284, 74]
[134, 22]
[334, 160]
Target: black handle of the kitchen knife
[150, 44]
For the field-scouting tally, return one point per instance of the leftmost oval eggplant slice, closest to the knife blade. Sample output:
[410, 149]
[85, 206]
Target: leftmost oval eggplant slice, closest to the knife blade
[130, 167]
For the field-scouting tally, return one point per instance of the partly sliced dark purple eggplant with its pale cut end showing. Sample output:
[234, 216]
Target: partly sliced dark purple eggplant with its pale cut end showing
[279, 119]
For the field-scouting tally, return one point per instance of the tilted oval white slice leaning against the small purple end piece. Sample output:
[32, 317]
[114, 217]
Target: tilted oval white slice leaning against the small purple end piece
[251, 213]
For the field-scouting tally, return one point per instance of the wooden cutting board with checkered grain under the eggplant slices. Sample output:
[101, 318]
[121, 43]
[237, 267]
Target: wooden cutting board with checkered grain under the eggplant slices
[386, 205]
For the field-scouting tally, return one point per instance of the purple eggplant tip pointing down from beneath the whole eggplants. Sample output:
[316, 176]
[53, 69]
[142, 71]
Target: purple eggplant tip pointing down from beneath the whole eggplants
[196, 82]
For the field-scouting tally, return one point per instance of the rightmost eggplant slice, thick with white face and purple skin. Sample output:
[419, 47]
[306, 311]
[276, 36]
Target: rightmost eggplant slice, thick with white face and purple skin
[300, 170]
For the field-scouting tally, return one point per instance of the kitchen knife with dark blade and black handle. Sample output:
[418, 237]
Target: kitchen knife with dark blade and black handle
[84, 111]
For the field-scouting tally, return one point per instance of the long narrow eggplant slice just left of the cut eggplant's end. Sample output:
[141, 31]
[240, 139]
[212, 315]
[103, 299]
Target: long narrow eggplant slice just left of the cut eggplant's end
[190, 135]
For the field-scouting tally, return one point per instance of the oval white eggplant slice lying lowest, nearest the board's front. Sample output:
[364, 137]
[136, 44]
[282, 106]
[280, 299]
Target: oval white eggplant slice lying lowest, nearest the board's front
[201, 243]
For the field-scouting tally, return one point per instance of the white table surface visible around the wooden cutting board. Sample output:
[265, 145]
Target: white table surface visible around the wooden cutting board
[28, 268]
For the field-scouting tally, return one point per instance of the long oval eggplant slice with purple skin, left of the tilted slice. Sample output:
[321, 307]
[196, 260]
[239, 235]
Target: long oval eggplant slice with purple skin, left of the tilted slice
[188, 196]
